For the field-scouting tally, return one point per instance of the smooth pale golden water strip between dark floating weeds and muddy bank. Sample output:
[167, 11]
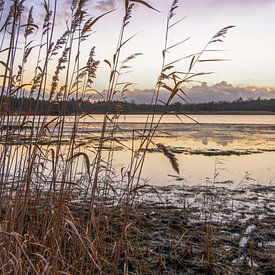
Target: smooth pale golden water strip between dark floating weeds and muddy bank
[199, 170]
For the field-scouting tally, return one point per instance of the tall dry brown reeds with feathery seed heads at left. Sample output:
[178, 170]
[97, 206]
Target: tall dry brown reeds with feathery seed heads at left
[59, 200]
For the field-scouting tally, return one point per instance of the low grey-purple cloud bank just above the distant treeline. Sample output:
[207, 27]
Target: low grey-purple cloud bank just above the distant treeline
[203, 93]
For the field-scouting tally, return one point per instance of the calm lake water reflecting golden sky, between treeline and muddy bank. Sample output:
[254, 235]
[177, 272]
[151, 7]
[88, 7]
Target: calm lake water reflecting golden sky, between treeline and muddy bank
[226, 149]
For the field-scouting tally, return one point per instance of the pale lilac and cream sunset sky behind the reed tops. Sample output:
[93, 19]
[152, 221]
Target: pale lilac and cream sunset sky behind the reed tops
[248, 48]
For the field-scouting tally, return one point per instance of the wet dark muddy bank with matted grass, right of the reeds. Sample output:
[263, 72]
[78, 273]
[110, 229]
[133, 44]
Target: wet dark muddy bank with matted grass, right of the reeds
[199, 230]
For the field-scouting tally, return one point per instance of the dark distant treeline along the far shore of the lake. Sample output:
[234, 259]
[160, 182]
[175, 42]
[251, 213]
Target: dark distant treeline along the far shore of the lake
[32, 106]
